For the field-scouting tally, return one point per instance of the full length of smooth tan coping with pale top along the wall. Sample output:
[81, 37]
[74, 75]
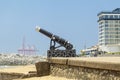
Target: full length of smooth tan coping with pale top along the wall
[99, 63]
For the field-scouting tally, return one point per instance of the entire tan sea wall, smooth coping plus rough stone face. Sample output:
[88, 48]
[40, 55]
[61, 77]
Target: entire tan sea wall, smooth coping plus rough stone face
[78, 69]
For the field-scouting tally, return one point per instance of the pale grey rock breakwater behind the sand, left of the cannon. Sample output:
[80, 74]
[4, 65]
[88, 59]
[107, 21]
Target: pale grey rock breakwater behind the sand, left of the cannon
[18, 59]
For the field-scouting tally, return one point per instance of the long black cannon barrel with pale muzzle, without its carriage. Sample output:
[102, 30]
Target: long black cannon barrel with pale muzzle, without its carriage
[55, 38]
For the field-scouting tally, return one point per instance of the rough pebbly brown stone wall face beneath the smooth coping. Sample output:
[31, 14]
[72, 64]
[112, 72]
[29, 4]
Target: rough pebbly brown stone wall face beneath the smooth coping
[83, 73]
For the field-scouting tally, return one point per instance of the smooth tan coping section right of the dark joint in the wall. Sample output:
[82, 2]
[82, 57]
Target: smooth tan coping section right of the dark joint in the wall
[98, 65]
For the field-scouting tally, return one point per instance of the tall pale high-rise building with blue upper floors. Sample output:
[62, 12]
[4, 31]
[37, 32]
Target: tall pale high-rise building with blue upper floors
[109, 30]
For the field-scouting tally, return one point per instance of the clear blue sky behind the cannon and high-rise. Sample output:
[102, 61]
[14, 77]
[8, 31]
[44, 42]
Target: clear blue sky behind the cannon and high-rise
[73, 20]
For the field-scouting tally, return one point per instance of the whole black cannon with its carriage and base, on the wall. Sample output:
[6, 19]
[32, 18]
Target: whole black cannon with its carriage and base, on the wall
[56, 43]
